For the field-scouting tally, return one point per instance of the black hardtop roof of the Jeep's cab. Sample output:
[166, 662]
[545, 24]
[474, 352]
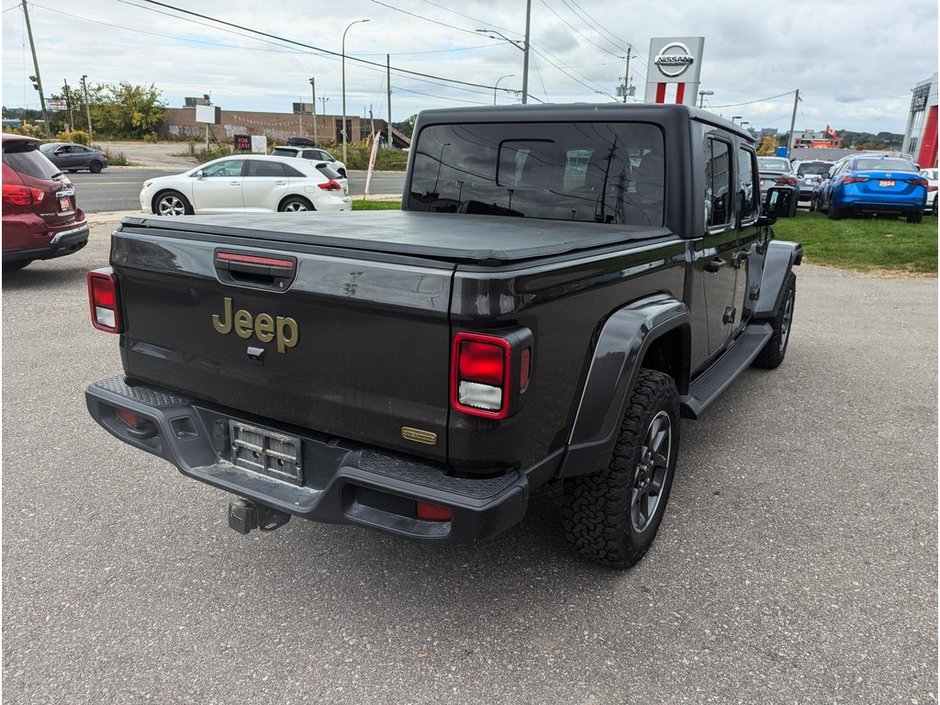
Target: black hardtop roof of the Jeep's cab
[565, 112]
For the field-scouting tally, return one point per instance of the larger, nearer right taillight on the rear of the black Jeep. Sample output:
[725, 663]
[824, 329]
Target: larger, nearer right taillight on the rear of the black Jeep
[480, 374]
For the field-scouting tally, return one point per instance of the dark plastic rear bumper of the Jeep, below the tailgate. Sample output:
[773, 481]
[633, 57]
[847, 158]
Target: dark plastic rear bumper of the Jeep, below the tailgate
[342, 482]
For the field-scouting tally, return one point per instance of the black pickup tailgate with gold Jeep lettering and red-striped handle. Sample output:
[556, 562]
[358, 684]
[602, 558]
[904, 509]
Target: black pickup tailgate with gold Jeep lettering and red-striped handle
[343, 344]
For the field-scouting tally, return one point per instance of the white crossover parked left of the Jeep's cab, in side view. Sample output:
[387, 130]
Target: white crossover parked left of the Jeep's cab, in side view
[247, 184]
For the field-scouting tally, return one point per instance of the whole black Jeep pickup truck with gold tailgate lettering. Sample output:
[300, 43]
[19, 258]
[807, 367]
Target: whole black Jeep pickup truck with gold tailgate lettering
[561, 284]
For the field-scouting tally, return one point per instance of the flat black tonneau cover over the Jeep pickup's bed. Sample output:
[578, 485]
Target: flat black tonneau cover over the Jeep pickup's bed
[466, 238]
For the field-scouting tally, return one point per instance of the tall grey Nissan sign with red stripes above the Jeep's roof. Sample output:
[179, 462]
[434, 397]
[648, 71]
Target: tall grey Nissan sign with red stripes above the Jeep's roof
[675, 65]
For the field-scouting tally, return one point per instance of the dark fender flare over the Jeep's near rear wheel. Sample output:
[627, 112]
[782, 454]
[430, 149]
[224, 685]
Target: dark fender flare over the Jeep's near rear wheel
[622, 343]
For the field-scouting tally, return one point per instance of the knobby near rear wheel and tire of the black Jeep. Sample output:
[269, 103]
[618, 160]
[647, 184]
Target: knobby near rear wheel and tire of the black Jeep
[600, 511]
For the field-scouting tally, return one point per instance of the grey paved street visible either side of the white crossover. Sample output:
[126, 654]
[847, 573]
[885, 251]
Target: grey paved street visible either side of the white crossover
[117, 188]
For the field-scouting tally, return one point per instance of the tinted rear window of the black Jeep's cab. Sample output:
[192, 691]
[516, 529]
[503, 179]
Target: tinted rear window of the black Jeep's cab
[587, 172]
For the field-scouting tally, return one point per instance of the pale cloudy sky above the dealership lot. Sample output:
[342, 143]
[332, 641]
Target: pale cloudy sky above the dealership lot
[854, 63]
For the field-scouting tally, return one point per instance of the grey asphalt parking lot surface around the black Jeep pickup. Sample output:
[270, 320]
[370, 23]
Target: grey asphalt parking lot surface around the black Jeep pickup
[797, 562]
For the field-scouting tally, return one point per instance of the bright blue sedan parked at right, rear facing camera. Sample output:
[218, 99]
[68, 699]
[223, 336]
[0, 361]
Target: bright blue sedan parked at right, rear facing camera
[873, 184]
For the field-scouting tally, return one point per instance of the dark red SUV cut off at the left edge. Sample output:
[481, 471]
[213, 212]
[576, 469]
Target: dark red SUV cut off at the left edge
[40, 218]
